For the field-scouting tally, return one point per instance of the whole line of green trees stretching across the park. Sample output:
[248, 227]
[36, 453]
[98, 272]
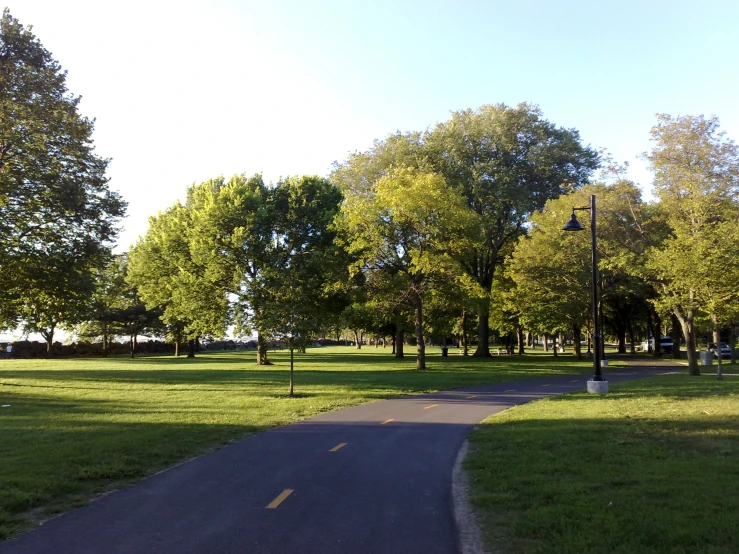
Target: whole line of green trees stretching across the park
[450, 232]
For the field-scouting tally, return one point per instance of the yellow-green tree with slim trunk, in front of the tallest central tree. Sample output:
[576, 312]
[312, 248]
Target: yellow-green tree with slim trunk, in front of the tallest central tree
[407, 230]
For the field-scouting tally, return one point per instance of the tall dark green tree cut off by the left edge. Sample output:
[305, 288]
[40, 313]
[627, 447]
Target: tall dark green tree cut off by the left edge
[55, 205]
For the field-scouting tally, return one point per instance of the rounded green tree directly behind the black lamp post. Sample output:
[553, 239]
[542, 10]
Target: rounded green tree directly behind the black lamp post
[552, 269]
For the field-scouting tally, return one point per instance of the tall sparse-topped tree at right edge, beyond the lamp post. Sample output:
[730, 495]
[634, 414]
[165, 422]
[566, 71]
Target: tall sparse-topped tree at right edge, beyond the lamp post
[696, 177]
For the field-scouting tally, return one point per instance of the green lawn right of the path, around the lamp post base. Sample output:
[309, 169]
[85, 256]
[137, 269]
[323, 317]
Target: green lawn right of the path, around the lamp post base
[651, 467]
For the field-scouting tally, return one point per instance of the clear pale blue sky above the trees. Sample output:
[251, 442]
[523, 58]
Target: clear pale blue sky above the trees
[184, 91]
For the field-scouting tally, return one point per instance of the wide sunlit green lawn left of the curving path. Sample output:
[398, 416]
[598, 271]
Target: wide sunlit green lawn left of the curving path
[78, 427]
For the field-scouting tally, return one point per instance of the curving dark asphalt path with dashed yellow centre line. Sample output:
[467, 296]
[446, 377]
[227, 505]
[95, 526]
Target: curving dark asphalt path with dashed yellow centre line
[373, 478]
